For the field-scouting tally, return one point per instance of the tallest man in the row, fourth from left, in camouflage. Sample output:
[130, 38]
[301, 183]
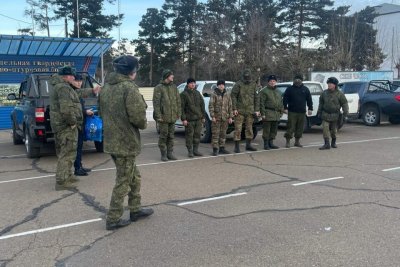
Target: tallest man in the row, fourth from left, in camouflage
[245, 104]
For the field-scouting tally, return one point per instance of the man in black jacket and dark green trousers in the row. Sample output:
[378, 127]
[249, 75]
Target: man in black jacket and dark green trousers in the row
[295, 99]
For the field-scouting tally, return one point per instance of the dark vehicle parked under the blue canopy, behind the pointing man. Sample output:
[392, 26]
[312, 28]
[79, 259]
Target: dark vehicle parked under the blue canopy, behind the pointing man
[31, 116]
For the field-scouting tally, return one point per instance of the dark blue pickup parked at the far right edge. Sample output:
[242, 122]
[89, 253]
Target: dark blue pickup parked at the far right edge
[379, 100]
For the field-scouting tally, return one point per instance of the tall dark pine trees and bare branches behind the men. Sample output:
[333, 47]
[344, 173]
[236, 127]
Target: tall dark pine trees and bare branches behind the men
[217, 39]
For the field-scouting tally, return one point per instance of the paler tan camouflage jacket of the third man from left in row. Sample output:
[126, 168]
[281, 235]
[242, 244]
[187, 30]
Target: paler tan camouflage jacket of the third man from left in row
[220, 105]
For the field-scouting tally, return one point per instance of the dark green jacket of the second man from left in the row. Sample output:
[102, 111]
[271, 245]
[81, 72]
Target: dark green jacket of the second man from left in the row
[192, 105]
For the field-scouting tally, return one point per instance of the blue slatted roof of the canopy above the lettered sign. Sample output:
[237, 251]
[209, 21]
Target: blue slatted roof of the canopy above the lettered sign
[53, 46]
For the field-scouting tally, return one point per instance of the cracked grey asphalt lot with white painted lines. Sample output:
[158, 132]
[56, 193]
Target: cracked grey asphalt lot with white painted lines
[285, 207]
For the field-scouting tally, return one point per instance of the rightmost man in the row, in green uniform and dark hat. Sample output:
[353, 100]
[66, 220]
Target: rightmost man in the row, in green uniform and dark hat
[330, 103]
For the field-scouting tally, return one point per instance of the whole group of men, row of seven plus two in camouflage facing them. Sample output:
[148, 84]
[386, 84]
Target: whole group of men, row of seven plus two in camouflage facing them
[123, 110]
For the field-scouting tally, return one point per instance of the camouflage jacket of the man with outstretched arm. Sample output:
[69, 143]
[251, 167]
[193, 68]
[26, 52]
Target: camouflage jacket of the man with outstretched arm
[65, 105]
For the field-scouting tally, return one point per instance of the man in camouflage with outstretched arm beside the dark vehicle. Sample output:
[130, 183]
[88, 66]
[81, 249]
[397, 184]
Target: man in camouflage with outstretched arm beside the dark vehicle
[66, 118]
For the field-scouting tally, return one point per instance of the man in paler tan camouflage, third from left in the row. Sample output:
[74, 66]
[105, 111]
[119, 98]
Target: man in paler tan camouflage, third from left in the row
[220, 107]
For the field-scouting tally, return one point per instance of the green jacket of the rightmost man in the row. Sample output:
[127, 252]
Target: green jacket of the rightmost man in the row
[330, 103]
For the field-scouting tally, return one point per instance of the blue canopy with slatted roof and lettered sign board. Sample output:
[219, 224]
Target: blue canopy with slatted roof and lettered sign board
[20, 54]
